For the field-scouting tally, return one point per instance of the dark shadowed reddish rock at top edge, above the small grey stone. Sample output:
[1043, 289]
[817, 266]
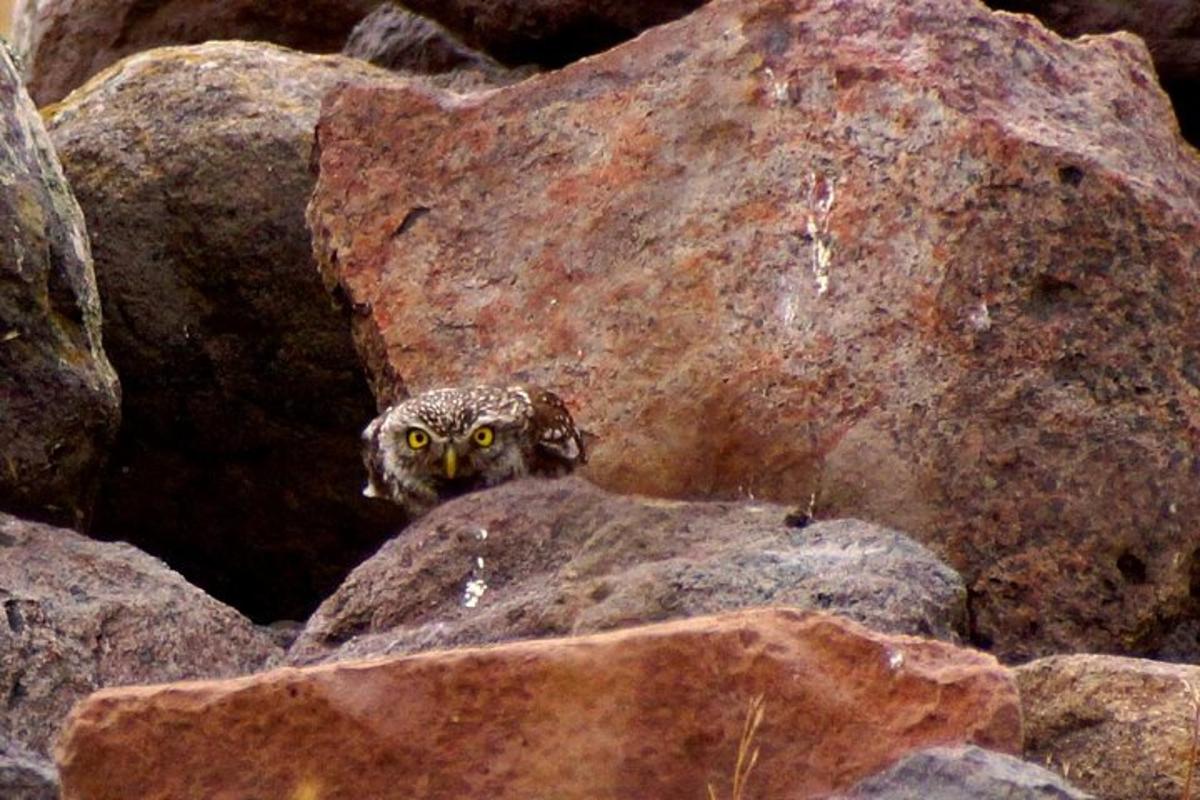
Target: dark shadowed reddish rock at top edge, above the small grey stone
[550, 33]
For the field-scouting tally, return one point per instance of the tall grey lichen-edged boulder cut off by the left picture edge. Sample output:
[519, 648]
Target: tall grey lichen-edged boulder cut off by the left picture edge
[59, 398]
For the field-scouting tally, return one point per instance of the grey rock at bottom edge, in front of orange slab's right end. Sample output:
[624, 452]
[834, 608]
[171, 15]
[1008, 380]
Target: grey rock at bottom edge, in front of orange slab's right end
[964, 773]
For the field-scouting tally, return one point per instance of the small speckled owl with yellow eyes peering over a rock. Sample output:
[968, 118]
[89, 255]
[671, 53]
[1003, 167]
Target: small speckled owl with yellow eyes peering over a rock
[447, 442]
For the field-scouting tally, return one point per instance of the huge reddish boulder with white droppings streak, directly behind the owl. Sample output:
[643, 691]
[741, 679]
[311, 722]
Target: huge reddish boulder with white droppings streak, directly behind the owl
[950, 261]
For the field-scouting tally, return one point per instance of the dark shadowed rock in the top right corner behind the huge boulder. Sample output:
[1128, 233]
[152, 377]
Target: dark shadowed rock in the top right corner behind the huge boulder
[1171, 28]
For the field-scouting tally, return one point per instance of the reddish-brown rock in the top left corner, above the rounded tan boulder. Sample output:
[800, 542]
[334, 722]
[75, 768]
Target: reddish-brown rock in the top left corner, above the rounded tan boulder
[65, 43]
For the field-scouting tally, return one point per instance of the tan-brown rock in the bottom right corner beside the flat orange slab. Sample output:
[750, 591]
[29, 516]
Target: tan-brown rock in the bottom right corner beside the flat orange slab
[1125, 729]
